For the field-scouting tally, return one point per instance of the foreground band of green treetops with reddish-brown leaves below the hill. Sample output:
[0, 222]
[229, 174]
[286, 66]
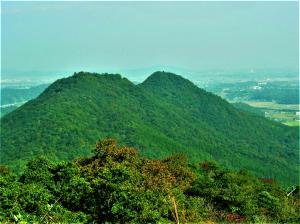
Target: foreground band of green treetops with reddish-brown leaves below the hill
[117, 185]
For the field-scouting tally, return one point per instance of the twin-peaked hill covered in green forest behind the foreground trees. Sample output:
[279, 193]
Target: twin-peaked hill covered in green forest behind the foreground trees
[166, 114]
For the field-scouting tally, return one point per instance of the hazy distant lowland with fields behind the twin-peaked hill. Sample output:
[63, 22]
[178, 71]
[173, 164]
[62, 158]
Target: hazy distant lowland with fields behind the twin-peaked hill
[274, 95]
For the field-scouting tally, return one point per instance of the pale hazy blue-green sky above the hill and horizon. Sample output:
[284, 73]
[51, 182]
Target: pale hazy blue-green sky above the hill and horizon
[64, 36]
